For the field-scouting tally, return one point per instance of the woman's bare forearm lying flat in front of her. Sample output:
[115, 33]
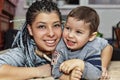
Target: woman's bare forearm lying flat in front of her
[8, 72]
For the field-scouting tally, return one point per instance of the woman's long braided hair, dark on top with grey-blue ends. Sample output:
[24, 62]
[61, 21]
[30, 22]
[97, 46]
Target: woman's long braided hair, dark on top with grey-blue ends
[23, 39]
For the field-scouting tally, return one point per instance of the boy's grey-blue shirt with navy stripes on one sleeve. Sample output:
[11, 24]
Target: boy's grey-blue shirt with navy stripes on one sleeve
[90, 54]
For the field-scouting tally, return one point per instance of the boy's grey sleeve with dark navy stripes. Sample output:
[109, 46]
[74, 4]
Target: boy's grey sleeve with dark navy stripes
[92, 69]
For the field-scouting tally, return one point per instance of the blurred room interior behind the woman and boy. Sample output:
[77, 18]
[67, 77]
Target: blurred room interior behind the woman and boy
[12, 17]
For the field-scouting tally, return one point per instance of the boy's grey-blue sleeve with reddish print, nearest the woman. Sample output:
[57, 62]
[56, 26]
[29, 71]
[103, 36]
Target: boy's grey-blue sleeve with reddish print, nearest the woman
[57, 59]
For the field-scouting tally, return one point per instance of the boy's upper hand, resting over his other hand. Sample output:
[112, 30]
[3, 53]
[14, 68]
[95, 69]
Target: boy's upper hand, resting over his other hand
[69, 65]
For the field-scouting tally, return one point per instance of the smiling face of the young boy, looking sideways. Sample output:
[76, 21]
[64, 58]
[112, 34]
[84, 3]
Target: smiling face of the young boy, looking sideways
[76, 33]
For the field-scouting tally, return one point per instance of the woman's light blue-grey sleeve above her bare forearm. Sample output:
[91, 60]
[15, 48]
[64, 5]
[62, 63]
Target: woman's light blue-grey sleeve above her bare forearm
[12, 57]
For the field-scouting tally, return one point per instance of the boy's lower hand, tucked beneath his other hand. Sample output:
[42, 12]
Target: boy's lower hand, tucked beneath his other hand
[76, 74]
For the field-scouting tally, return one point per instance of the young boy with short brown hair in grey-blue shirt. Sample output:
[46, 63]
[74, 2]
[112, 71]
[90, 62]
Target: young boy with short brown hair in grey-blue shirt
[79, 53]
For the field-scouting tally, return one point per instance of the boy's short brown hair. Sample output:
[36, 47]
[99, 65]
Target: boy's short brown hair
[87, 14]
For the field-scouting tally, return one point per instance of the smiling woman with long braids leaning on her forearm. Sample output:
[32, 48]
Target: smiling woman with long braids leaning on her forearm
[41, 31]
